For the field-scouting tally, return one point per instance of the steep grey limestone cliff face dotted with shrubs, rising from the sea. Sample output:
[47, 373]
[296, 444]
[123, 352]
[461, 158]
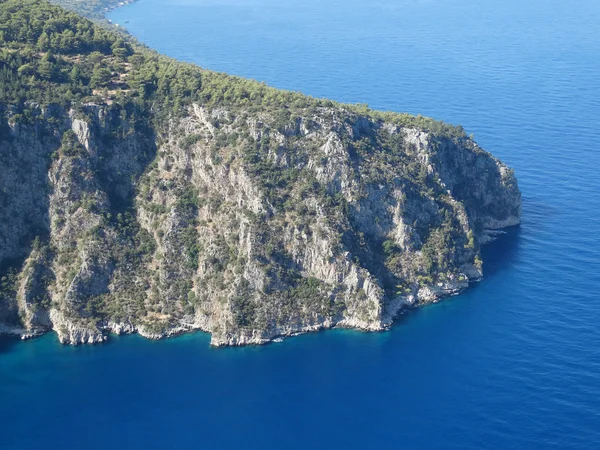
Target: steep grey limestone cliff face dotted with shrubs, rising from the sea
[241, 224]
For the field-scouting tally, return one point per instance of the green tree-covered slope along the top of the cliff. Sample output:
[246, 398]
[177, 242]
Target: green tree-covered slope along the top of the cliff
[51, 56]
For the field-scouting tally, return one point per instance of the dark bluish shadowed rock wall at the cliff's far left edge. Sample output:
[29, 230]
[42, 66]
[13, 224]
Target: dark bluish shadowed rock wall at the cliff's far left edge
[25, 158]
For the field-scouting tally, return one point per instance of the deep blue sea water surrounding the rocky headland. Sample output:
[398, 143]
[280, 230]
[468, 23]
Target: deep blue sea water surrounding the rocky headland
[512, 363]
